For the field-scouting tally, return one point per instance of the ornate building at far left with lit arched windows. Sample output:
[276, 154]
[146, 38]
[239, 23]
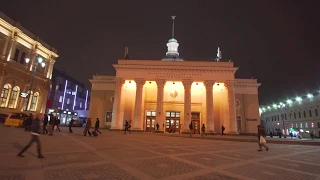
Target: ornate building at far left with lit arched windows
[16, 76]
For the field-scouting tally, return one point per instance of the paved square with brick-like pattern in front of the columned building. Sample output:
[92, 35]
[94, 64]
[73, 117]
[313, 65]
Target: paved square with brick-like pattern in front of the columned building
[147, 156]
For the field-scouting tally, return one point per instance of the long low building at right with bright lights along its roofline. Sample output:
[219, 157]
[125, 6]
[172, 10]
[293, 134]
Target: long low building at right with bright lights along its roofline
[296, 115]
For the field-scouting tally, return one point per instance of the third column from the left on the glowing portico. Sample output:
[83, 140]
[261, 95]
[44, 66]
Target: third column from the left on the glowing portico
[160, 112]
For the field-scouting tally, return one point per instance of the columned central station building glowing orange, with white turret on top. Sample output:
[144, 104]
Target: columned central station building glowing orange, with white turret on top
[175, 93]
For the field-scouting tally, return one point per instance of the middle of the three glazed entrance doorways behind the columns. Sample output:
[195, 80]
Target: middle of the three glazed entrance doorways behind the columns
[172, 122]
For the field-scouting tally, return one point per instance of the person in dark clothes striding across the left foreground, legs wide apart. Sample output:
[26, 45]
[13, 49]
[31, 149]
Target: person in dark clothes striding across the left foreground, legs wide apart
[35, 133]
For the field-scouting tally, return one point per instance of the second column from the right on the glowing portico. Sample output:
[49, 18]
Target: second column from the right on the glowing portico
[209, 105]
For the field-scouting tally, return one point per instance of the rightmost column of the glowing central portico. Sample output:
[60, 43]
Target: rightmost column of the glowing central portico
[232, 107]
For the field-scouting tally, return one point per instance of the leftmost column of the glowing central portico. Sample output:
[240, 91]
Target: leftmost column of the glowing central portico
[116, 104]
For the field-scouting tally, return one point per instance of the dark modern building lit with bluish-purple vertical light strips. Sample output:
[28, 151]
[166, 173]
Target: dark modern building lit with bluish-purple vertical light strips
[67, 97]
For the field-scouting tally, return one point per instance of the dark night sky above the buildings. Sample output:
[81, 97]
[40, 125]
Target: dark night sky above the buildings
[276, 41]
